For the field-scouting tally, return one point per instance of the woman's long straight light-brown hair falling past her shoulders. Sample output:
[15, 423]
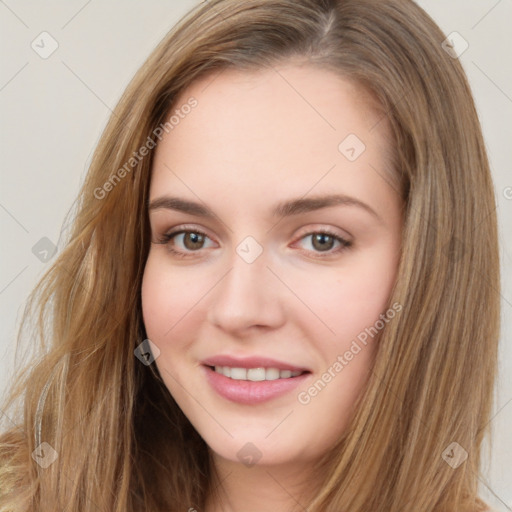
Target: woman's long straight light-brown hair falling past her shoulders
[121, 441]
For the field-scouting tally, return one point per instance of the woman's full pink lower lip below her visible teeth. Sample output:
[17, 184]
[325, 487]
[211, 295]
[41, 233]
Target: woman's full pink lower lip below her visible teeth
[251, 392]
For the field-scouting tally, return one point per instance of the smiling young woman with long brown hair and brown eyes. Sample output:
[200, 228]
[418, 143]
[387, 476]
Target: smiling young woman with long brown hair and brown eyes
[273, 293]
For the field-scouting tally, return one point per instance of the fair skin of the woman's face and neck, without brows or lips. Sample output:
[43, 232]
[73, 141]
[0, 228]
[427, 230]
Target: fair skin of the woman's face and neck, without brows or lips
[251, 142]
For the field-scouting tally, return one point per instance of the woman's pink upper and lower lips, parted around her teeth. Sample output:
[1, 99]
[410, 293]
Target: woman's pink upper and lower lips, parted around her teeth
[250, 392]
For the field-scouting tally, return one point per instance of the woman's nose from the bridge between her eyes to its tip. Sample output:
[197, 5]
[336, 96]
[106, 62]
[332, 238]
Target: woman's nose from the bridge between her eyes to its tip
[247, 295]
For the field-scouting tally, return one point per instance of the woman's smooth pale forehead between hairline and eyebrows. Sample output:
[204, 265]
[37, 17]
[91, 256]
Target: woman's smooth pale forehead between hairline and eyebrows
[265, 129]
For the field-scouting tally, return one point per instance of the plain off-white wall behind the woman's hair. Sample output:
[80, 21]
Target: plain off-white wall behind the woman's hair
[55, 106]
